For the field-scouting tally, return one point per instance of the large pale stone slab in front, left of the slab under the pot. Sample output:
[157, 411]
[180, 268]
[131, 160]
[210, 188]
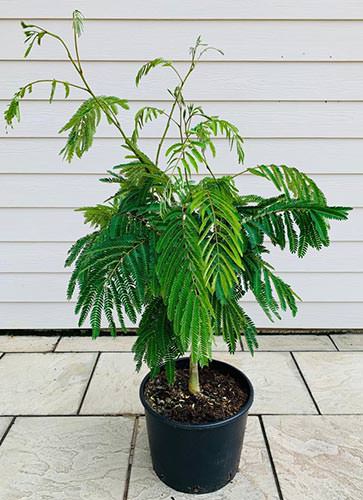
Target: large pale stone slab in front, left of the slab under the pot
[65, 458]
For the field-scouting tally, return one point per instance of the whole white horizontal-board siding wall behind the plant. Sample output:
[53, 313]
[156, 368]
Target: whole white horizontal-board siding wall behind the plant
[291, 78]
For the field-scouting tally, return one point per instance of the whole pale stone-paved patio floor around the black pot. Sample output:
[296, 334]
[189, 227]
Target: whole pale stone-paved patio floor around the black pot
[71, 425]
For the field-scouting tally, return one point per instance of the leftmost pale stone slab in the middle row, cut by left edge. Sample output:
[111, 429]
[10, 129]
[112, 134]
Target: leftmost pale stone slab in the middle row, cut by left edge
[43, 384]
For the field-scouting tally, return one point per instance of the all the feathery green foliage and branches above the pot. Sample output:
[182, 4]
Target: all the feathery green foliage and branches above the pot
[180, 254]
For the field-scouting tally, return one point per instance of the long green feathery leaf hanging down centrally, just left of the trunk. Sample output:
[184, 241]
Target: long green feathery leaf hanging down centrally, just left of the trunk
[181, 272]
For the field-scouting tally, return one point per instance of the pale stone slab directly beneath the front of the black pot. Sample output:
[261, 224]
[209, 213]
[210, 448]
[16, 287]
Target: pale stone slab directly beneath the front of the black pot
[254, 481]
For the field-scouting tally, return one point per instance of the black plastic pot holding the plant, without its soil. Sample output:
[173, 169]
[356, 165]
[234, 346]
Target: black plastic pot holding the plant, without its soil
[197, 458]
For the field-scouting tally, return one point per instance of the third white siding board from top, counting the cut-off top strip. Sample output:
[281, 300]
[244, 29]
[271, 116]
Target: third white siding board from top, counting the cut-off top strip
[240, 81]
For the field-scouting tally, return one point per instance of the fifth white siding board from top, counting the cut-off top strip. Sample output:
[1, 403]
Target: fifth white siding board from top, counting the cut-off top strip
[314, 156]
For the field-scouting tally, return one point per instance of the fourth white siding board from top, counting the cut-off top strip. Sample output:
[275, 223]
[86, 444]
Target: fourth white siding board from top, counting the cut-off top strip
[254, 119]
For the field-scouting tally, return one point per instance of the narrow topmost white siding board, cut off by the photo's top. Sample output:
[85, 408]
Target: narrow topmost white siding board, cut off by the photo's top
[188, 9]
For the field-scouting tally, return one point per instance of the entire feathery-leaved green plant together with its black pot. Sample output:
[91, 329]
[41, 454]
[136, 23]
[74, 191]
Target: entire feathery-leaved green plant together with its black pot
[181, 252]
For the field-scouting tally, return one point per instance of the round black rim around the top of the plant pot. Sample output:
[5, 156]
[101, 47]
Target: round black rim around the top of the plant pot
[208, 425]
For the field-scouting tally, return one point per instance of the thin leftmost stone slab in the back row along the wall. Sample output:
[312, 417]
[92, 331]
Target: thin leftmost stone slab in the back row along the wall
[27, 343]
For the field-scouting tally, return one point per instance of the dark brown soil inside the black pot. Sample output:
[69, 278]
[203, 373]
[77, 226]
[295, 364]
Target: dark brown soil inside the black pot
[221, 397]
